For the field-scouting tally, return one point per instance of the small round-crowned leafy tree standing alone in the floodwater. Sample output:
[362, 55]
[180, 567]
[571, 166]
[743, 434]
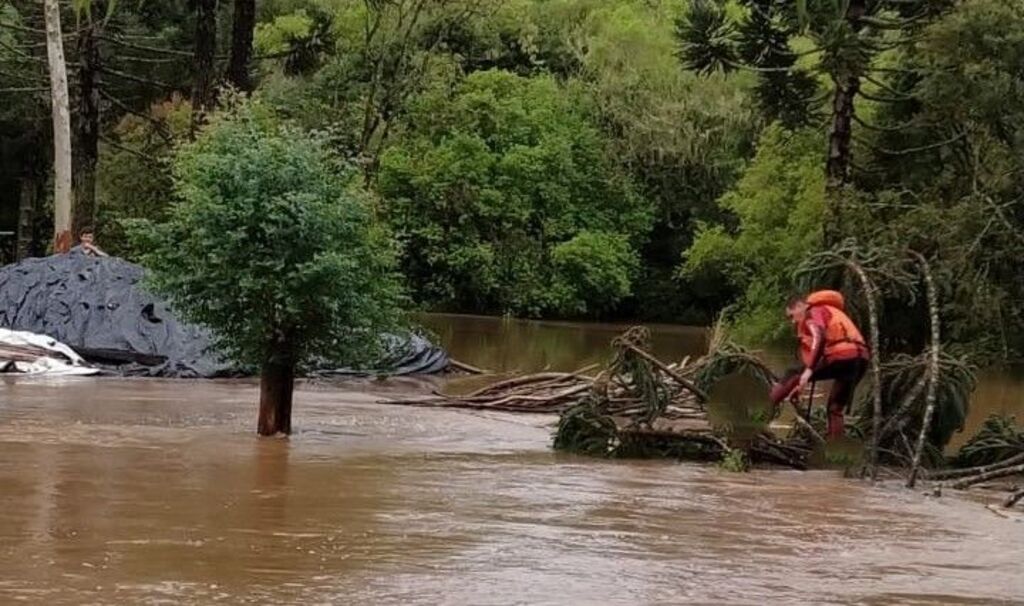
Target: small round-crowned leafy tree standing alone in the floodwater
[272, 248]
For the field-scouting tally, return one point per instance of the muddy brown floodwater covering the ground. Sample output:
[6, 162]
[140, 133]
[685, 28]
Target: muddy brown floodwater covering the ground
[117, 492]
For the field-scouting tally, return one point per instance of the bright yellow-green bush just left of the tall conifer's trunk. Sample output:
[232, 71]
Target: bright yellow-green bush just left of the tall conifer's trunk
[779, 204]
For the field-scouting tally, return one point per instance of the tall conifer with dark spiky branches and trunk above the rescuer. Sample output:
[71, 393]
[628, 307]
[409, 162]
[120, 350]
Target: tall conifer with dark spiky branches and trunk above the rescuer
[841, 42]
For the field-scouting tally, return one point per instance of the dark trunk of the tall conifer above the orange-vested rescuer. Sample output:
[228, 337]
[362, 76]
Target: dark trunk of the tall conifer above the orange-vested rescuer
[840, 135]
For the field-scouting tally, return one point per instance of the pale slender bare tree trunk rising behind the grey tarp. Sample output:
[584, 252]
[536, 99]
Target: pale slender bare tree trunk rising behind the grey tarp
[62, 128]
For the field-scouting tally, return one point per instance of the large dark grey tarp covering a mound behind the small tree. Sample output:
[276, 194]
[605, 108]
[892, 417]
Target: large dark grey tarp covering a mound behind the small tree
[99, 308]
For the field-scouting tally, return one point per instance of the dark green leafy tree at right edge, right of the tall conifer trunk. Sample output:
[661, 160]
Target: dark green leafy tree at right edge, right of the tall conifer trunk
[947, 171]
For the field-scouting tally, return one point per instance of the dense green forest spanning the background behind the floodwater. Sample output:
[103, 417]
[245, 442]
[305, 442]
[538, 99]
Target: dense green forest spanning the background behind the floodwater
[662, 160]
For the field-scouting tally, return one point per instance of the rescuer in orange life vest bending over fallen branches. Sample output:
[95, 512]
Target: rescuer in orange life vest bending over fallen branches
[832, 348]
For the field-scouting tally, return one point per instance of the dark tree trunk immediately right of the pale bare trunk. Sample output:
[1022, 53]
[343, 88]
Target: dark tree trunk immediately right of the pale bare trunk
[87, 151]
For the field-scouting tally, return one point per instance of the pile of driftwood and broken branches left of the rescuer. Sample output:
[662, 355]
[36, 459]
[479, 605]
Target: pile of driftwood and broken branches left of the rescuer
[638, 406]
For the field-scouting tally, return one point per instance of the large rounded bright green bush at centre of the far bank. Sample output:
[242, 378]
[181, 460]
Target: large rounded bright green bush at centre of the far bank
[496, 177]
